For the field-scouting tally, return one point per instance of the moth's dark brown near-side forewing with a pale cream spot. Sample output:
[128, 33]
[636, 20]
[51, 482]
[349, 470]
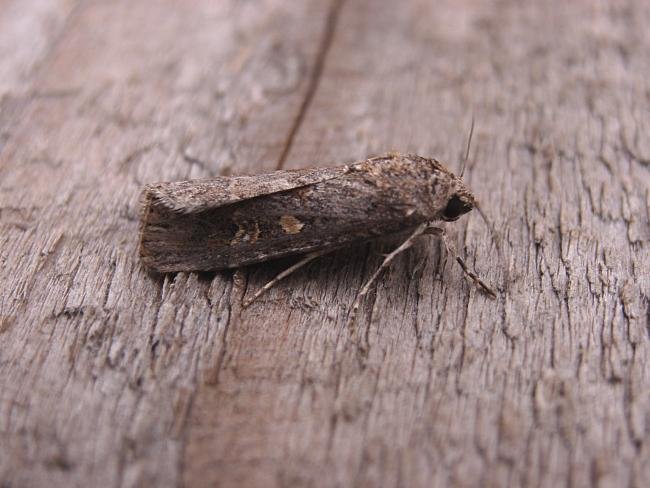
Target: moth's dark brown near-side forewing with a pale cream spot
[336, 208]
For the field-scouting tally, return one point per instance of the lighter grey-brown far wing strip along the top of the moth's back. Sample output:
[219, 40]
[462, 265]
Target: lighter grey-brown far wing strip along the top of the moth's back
[194, 196]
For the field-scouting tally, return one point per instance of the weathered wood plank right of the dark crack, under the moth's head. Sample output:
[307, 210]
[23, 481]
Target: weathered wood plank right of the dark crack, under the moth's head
[543, 388]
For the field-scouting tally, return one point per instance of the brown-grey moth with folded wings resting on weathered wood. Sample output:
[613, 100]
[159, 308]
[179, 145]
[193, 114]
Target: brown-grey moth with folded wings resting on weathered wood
[229, 222]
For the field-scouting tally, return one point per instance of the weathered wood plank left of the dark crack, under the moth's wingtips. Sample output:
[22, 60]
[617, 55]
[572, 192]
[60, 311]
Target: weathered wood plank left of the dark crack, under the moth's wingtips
[99, 361]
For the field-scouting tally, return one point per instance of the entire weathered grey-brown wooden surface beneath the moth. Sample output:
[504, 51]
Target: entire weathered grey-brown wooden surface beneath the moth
[109, 377]
